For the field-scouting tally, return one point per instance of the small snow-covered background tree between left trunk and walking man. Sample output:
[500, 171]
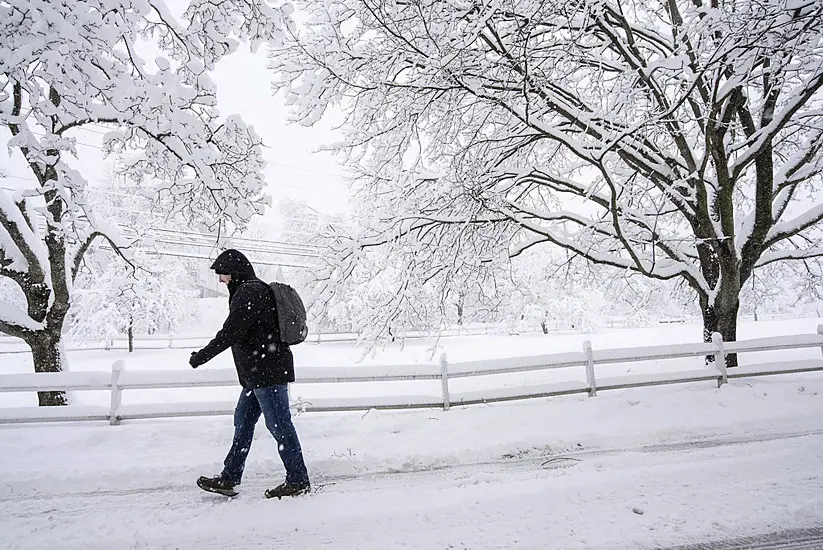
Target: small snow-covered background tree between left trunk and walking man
[152, 292]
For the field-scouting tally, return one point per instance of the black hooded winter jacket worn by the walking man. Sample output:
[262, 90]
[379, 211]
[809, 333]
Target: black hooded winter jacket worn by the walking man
[251, 328]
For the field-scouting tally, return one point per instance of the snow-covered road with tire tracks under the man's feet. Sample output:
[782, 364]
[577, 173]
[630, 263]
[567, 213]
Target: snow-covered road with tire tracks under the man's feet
[646, 497]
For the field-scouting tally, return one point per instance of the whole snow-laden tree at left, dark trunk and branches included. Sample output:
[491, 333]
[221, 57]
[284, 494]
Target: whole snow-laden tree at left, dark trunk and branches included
[136, 69]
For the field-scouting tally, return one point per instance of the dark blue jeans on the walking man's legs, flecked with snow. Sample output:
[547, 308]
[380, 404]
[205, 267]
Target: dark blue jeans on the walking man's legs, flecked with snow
[273, 403]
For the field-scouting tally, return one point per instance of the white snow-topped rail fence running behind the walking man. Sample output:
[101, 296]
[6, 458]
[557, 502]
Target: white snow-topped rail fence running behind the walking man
[588, 359]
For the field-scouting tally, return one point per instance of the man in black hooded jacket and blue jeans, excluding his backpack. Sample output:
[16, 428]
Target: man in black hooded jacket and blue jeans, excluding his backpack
[265, 366]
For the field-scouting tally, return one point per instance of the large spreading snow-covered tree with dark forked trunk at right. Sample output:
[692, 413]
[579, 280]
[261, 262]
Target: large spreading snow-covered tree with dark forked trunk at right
[677, 139]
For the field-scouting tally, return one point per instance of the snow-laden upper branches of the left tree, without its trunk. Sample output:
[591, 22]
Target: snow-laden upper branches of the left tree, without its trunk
[165, 107]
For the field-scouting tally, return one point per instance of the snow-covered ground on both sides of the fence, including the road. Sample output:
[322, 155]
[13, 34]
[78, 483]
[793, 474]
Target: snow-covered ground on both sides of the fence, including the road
[641, 468]
